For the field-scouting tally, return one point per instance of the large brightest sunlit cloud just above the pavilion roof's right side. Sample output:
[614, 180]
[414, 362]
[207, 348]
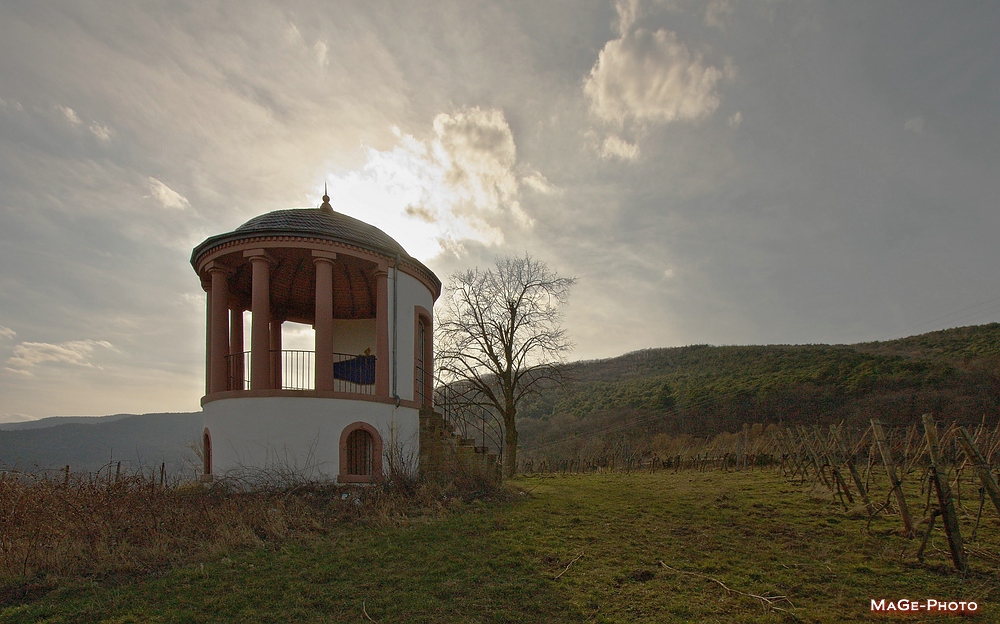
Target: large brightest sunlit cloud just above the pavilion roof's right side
[462, 183]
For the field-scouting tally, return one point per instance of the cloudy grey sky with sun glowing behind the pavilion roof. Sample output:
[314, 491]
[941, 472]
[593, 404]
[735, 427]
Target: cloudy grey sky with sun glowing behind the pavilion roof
[722, 172]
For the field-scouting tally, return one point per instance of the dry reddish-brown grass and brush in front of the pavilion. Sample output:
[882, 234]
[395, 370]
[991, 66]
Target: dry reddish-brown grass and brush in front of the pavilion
[112, 524]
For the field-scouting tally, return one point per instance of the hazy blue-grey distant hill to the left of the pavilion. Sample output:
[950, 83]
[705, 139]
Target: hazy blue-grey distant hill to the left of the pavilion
[87, 444]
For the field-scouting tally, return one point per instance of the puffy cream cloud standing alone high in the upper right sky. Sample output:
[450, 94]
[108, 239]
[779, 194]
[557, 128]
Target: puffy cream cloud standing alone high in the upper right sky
[651, 77]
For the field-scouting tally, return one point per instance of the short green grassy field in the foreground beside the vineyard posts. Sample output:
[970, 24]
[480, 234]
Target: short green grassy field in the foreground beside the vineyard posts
[602, 548]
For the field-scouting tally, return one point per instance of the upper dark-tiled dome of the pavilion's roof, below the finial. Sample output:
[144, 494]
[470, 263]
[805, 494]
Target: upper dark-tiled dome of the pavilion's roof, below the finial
[328, 224]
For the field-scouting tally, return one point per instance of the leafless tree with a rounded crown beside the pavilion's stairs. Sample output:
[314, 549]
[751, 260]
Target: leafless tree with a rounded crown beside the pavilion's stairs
[501, 335]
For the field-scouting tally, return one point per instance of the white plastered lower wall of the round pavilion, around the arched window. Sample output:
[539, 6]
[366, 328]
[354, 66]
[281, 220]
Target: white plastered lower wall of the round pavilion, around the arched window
[300, 434]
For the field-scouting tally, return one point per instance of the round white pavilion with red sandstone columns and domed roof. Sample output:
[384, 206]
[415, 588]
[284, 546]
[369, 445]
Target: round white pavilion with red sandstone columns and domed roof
[335, 411]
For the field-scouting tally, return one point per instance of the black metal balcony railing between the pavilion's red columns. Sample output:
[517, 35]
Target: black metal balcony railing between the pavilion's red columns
[351, 373]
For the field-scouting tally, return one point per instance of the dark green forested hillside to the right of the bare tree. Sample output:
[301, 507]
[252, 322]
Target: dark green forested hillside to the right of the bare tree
[704, 390]
